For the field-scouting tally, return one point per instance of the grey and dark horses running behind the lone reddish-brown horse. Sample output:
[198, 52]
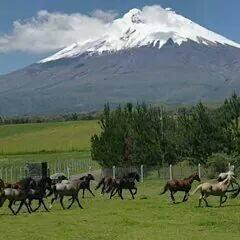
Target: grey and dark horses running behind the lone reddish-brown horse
[28, 190]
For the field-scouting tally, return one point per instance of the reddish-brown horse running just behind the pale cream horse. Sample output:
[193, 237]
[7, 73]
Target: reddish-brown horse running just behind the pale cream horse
[184, 185]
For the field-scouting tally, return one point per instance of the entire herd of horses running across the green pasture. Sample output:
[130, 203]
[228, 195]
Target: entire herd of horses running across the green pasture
[28, 189]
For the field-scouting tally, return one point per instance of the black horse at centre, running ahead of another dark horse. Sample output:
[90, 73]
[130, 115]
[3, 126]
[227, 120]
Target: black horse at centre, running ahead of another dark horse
[126, 182]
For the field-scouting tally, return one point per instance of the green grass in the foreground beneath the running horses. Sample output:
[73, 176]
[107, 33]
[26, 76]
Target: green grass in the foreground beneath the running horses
[150, 217]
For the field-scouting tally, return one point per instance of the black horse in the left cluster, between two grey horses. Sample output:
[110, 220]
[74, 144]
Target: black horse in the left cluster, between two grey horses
[38, 192]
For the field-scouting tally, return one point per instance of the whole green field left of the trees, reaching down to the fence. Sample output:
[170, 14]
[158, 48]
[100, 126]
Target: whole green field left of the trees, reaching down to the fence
[51, 142]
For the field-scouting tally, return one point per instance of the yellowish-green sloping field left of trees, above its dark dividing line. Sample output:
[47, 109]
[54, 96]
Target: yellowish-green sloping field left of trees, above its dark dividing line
[46, 137]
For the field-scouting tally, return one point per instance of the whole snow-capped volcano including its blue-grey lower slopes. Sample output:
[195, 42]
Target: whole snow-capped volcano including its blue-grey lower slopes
[142, 61]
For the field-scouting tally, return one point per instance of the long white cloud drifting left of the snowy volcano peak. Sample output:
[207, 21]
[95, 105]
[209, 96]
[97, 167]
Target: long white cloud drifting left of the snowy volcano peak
[52, 31]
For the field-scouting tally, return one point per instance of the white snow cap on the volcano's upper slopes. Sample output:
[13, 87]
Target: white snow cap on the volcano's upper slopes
[145, 27]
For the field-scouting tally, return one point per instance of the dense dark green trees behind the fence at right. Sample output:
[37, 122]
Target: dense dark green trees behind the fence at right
[150, 135]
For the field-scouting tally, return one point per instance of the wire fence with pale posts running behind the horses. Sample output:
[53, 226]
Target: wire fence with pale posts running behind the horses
[11, 173]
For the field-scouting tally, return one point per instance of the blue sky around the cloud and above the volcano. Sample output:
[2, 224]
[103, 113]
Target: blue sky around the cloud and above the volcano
[220, 16]
